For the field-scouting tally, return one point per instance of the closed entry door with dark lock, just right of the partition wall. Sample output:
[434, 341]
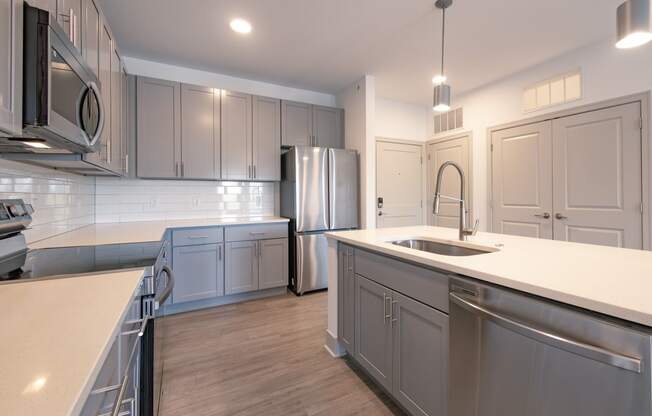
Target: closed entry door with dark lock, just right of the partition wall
[398, 183]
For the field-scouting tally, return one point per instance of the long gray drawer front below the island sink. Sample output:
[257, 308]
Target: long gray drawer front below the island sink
[427, 286]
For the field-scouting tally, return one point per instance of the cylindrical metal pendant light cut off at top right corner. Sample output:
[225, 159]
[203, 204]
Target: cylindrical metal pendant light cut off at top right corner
[634, 22]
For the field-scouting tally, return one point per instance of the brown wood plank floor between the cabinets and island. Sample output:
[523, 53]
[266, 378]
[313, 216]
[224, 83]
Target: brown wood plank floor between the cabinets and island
[264, 357]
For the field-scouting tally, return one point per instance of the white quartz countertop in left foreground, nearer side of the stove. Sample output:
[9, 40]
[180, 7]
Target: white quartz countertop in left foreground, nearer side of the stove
[55, 335]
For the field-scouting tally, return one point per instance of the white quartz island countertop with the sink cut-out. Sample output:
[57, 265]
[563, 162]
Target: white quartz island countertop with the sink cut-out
[612, 281]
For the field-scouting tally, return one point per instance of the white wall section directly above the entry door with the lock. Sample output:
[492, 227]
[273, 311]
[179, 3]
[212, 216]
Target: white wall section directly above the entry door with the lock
[397, 120]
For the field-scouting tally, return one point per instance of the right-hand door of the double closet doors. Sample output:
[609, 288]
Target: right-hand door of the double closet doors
[597, 177]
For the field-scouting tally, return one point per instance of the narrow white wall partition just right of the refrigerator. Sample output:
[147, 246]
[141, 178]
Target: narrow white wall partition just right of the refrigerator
[358, 101]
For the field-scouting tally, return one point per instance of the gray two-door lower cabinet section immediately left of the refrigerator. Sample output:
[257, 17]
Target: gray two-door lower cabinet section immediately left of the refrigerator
[256, 265]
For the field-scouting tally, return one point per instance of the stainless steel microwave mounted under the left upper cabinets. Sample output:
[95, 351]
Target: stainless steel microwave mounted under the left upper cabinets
[62, 105]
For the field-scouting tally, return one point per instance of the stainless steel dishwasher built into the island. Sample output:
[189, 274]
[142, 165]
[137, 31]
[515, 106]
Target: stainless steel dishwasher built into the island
[513, 354]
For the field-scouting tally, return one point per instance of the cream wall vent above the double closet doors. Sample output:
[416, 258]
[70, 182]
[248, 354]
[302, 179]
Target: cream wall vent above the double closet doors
[553, 91]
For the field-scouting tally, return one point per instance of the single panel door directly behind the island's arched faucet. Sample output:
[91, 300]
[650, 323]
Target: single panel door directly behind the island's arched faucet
[456, 150]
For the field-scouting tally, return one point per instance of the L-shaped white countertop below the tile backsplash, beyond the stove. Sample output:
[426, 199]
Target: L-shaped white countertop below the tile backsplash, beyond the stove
[139, 232]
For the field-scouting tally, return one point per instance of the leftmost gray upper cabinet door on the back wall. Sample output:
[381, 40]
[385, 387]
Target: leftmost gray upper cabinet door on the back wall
[158, 132]
